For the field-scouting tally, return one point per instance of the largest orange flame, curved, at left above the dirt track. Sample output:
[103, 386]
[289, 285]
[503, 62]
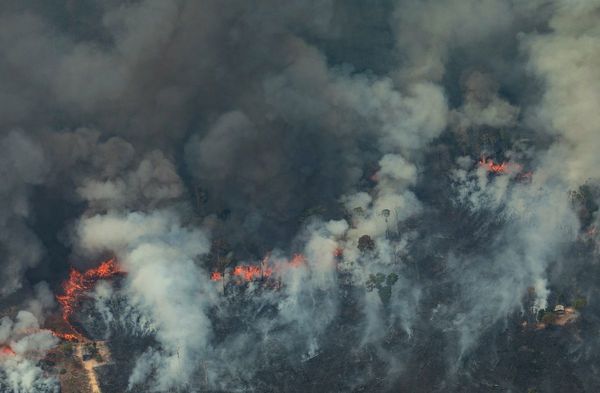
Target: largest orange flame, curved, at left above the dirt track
[77, 285]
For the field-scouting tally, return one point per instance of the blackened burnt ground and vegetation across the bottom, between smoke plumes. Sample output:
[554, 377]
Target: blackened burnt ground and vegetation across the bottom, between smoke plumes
[507, 357]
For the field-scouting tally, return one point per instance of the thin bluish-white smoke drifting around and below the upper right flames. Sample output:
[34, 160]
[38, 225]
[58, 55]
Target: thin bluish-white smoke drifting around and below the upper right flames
[535, 224]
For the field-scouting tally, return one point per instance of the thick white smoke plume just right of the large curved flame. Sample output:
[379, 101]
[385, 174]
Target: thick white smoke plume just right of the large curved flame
[165, 285]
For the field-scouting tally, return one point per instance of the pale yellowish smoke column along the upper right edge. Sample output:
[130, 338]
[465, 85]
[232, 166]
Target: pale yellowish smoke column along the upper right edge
[569, 77]
